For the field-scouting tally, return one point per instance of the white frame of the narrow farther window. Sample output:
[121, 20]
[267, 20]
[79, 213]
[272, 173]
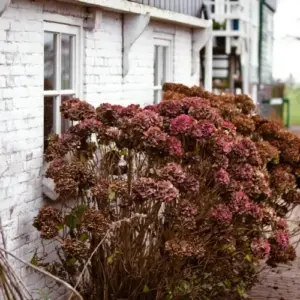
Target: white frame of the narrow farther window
[164, 41]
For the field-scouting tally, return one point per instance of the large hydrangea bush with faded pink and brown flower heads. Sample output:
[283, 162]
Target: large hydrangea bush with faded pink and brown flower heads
[180, 200]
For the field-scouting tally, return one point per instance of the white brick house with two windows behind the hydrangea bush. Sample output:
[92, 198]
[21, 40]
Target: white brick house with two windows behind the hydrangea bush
[113, 51]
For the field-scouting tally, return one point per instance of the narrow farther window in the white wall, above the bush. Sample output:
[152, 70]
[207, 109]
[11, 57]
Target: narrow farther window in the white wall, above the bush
[162, 66]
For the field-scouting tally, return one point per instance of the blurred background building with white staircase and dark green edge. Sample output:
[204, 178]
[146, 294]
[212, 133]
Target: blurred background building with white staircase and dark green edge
[243, 36]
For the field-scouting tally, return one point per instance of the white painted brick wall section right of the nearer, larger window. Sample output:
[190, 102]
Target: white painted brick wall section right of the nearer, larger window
[103, 80]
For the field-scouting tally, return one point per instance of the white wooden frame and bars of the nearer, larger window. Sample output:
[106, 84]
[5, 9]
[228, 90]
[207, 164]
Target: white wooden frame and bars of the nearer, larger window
[57, 94]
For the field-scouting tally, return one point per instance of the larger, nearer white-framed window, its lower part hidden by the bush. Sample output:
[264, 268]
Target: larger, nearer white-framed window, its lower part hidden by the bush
[61, 73]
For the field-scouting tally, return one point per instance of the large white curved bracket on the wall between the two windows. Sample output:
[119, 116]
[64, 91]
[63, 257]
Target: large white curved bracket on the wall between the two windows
[133, 27]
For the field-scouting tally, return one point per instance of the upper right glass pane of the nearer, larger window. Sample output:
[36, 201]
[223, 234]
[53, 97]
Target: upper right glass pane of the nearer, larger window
[66, 61]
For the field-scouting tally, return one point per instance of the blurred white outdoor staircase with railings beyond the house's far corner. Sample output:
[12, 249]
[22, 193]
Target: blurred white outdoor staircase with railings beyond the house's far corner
[234, 22]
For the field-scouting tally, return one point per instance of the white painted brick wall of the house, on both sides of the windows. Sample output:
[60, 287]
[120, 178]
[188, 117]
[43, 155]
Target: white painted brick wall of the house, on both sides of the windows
[21, 100]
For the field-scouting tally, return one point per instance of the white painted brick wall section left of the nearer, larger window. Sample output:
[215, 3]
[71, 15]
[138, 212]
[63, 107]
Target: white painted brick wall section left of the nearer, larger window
[21, 131]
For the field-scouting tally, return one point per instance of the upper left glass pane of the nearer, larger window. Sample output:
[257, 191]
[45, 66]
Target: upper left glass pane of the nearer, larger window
[49, 60]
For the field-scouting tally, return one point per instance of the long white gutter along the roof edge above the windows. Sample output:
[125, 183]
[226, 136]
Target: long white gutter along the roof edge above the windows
[124, 6]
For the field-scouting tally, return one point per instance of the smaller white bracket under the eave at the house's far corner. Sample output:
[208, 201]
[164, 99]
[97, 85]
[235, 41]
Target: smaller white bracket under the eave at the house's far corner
[200, 38]
